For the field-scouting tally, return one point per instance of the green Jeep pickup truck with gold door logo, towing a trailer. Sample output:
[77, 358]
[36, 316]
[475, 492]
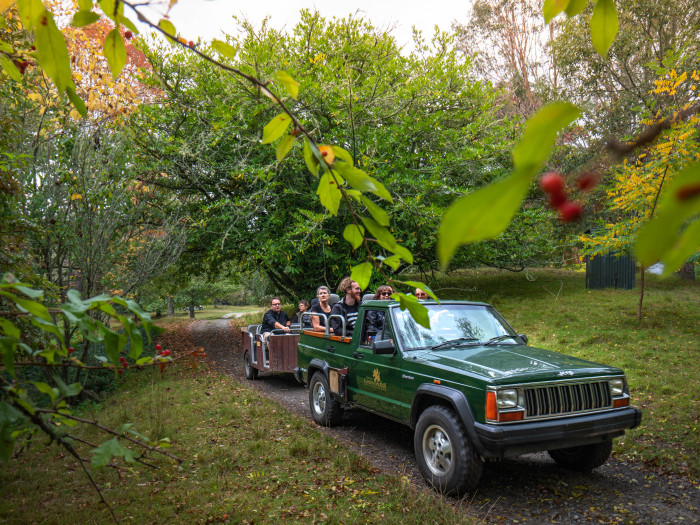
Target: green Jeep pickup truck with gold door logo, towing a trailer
[470, 387]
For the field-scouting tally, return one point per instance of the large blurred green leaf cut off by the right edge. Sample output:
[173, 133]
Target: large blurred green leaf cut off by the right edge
[660, 235]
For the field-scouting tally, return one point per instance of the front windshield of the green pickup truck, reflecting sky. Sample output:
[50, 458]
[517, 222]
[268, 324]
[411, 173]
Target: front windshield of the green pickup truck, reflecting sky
[466, 324]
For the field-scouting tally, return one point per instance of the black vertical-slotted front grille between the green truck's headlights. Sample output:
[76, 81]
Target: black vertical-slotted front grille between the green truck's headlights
[571, 398]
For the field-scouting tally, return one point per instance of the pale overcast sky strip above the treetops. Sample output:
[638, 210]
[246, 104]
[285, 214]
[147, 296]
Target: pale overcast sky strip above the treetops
[208, 18]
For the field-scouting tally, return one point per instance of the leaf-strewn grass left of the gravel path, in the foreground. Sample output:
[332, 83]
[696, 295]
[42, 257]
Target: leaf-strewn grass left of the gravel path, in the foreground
[245, 460]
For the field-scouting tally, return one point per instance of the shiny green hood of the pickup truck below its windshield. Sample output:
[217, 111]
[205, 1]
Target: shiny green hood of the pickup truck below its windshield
[502, 362]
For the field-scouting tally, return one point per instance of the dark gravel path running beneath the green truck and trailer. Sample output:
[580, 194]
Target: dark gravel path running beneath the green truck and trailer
[529, 489]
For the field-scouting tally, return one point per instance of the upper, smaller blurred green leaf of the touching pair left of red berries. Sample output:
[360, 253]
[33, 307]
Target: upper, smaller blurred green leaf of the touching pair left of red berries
[541, 132]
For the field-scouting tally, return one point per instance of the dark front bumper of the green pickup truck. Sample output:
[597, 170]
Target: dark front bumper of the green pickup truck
[575, 431]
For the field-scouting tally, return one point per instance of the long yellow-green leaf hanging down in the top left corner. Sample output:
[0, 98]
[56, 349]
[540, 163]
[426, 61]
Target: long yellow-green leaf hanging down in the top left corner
[52, 52]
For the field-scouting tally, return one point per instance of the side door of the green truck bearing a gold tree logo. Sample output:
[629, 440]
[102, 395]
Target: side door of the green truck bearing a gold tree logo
[375, 380]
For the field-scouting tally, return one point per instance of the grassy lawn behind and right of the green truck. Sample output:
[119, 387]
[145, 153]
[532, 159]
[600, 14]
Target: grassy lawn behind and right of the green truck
[659, 355]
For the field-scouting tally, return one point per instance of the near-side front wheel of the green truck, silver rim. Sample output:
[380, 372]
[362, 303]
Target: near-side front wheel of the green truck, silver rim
[444, 454]
